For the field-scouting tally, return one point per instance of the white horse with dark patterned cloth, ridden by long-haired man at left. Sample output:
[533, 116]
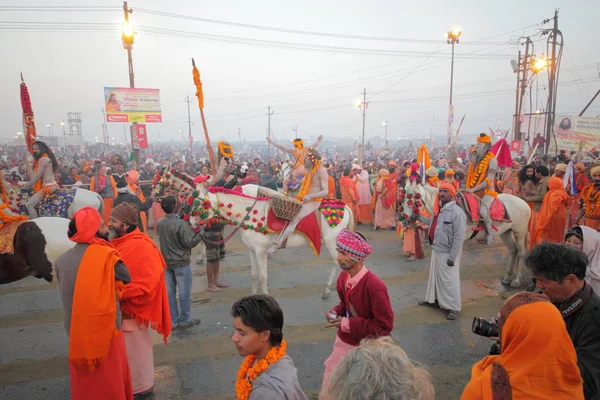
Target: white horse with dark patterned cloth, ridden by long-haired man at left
[81, 198]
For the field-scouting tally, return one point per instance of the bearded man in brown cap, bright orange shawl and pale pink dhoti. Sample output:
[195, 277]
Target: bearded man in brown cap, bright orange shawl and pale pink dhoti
[144, 301]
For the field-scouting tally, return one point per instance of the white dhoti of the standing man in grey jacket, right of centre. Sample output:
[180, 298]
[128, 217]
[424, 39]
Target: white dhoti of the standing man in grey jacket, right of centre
[443, 284]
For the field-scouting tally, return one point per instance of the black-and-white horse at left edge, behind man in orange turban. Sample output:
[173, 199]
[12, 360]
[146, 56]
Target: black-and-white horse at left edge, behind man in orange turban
[37, 244]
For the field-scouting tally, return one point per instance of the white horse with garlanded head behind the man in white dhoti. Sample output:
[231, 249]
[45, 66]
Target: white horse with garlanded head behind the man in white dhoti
[510, 218]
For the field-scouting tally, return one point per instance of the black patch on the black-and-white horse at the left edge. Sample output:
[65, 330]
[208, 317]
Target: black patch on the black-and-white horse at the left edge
[30, 245]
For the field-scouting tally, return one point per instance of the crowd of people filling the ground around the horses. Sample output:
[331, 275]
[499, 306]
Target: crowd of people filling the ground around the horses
[117, 281]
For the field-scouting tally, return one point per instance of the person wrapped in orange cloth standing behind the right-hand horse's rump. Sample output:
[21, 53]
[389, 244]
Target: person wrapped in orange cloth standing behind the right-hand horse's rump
[552, 219]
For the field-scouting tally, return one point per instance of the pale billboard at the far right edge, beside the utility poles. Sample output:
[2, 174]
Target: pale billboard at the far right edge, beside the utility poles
[572, 132]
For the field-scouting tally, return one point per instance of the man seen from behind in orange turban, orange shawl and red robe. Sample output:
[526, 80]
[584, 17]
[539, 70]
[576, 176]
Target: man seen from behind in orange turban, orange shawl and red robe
[91, 277]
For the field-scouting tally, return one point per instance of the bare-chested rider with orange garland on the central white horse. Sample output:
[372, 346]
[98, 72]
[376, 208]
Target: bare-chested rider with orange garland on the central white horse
[314, 188]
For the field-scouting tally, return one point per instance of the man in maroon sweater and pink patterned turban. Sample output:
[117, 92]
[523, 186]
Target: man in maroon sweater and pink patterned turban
[365, 310]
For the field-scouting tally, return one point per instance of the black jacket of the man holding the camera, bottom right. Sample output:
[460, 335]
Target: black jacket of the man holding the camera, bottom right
[583, 326]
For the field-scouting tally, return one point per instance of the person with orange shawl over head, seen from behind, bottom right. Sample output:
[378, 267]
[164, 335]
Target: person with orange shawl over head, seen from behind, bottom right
[524, 371]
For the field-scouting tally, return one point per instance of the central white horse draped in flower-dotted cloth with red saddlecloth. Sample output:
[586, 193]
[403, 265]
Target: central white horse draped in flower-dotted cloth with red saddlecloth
[251, 212]
